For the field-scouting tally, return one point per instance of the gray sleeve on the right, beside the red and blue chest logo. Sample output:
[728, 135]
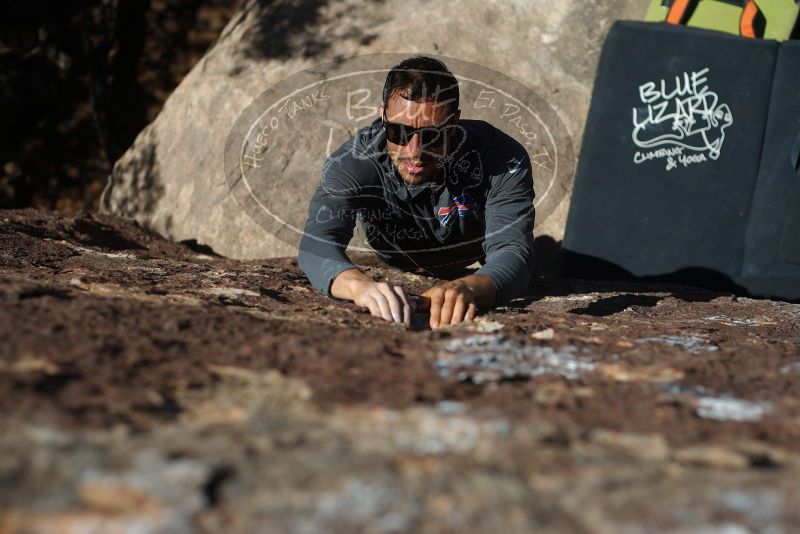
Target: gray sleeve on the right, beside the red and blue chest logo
[509, 216]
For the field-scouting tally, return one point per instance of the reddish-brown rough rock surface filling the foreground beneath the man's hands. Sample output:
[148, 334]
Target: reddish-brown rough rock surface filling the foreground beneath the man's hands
[152, 385]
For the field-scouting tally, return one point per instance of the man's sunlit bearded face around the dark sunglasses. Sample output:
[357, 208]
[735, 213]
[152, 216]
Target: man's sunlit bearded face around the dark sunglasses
[415, 162]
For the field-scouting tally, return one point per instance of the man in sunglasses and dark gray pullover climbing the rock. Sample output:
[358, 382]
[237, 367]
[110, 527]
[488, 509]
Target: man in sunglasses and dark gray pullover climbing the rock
[434, 194]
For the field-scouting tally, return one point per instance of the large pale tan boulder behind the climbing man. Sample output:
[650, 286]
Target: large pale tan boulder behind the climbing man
[180, 180]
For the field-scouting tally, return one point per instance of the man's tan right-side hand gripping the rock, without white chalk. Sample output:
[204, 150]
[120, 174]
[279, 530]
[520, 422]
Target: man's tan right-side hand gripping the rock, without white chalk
[458, 300]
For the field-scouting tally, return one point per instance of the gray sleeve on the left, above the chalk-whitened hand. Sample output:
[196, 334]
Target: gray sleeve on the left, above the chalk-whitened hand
[328, 229]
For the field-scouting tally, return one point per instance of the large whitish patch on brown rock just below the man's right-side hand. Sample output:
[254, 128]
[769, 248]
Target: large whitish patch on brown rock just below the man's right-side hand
[491, 358]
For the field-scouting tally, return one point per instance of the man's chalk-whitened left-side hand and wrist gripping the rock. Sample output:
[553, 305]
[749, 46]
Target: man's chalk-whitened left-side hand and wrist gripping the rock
[382, 299]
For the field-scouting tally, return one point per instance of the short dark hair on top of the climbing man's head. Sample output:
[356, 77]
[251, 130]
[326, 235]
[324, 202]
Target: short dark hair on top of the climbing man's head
[421, 78]
